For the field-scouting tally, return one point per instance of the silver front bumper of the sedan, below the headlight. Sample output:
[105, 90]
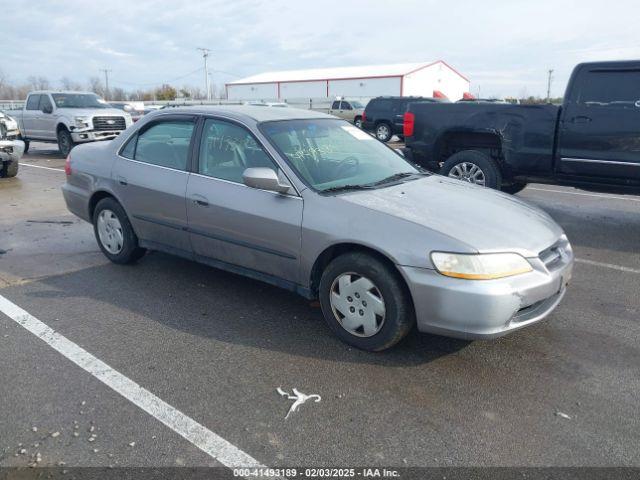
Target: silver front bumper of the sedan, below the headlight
[485, 309]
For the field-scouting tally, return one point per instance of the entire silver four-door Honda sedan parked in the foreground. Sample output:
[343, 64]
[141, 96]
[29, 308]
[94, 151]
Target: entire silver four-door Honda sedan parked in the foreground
[313, 204]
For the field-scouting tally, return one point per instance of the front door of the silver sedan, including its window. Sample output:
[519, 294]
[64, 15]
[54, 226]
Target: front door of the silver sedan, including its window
[256, 230]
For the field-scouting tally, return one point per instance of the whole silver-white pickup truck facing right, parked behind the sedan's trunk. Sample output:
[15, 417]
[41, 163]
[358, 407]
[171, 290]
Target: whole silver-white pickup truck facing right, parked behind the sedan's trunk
[69, 118]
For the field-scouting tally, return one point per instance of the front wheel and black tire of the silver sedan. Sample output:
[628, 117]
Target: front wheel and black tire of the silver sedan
[365, 302]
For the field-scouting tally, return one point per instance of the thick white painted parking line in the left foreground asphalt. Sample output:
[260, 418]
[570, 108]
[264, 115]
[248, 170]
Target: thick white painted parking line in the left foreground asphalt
[206, 440]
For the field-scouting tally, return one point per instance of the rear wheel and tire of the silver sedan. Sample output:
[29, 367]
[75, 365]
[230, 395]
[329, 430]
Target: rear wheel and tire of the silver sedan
[114, 233]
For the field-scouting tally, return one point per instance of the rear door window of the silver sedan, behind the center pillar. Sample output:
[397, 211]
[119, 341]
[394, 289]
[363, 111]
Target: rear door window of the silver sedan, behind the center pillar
[165, 144]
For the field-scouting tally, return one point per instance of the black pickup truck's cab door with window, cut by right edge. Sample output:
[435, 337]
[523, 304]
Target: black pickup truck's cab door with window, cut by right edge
[600, 129]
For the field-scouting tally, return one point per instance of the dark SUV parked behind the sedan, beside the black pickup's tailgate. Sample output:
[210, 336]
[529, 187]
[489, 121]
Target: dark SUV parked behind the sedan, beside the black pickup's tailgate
[384, 116]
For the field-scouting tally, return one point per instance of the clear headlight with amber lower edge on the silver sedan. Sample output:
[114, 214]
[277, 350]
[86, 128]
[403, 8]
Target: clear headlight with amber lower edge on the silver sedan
[483, 266]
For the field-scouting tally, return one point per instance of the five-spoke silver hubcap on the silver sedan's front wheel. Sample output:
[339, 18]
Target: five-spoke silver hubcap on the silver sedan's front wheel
[357, 304]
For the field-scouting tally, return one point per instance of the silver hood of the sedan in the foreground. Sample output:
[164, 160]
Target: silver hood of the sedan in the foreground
[486, 220]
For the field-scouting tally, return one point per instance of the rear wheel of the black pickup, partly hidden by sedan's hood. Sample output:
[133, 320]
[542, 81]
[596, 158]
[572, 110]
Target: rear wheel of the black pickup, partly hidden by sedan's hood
[474, 167]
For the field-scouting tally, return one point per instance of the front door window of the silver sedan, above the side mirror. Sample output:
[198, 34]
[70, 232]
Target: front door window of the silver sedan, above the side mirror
[227, 149]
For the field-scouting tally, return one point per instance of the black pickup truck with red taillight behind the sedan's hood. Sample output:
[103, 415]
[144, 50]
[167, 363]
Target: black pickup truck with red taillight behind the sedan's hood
[592, 141]
